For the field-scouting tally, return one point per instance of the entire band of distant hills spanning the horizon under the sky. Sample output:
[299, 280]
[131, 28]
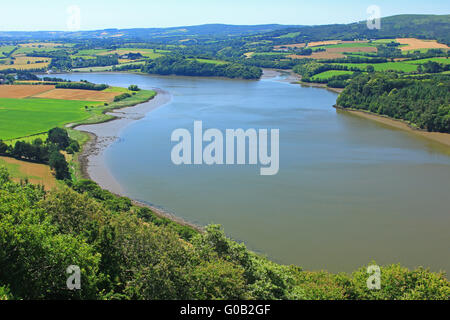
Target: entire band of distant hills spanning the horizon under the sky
[408, 25]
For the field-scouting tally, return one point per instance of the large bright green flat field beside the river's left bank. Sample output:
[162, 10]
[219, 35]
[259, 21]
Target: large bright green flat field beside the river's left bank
[25, 117]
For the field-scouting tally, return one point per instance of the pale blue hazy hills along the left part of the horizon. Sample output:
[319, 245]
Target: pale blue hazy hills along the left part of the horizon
[216, 30]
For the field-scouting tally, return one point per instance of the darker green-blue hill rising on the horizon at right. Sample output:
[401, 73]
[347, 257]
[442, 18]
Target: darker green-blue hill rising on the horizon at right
[407, 25]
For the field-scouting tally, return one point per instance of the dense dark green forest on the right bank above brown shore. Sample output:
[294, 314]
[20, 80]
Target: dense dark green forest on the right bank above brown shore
[424, 103]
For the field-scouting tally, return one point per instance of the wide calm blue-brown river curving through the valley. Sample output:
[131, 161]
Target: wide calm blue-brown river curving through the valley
[349, 190]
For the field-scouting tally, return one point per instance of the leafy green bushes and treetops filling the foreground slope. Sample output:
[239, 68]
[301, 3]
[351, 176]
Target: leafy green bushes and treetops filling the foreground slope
[125, 253]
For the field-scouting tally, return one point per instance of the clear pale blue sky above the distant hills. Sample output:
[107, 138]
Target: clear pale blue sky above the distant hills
[100, 14]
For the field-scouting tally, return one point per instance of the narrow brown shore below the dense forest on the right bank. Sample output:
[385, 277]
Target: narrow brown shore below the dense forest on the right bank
[443, 138]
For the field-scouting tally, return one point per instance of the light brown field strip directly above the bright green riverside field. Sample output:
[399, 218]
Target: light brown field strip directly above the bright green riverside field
[76, 94]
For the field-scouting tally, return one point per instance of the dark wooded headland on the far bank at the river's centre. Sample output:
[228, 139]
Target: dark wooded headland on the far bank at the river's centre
[174, 65]
